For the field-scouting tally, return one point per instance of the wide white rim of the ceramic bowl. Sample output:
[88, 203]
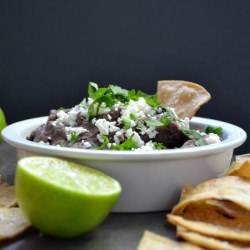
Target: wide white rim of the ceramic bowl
[14, 134]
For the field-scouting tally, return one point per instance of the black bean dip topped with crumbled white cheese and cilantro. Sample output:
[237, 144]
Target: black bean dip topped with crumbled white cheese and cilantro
[117, 119]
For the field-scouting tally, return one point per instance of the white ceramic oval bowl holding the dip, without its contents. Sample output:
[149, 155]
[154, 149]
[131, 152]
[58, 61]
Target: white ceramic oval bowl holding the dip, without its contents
[151, 180]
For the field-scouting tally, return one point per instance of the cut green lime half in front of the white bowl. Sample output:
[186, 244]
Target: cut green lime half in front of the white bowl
[62, 198]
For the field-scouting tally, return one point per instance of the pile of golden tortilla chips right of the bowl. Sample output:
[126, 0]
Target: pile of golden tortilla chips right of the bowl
[212, 215]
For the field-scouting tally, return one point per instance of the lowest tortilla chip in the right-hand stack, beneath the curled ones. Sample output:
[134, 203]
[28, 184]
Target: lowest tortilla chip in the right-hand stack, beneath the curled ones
[209, 242]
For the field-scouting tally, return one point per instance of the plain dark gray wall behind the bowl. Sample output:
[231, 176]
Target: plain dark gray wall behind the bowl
[50, 50]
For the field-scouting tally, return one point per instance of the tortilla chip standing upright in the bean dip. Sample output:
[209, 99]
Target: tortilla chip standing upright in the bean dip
[184, 97]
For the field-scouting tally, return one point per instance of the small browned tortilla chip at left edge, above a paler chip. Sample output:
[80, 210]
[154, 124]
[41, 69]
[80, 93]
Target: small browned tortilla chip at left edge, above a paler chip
[7, 196]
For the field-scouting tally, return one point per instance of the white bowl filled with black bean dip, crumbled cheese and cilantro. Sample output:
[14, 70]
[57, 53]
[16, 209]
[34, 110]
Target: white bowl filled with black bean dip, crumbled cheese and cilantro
[149, 149]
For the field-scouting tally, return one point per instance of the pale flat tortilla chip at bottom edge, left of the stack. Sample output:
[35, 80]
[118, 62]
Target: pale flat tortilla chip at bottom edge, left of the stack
[152, 241]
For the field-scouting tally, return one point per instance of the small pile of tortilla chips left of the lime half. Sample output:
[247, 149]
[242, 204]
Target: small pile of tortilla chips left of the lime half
[12, 220]
